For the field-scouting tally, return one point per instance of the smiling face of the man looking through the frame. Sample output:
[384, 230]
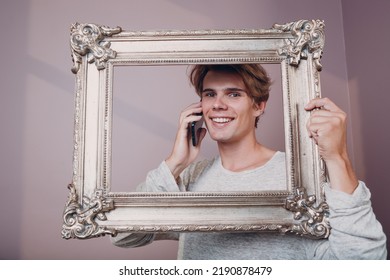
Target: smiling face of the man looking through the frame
[228, 111]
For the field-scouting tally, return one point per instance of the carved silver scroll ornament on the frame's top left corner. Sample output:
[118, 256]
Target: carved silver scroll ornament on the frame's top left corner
[88, 38]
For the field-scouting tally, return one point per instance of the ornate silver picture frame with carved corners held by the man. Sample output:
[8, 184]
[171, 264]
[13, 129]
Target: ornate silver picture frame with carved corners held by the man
[93, 209]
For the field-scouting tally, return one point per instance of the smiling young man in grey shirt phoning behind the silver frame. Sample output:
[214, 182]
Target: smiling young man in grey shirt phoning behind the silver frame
[233, 97]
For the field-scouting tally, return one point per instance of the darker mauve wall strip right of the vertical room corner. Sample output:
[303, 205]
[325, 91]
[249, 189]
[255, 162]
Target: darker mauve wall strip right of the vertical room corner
[367, 41]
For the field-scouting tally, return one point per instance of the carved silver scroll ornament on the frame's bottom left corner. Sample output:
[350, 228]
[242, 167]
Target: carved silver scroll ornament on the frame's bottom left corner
[79, 220]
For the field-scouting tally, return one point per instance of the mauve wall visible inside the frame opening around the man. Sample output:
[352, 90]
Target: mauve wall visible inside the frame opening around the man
[147, 101]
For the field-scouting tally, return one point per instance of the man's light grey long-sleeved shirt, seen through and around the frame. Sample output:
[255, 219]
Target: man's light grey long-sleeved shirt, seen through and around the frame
[356, 233]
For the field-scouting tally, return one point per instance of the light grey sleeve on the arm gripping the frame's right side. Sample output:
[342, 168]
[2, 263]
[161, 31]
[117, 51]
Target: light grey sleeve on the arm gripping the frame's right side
[355, 231]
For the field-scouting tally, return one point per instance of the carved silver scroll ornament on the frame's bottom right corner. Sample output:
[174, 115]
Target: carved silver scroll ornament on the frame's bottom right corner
[302, 205]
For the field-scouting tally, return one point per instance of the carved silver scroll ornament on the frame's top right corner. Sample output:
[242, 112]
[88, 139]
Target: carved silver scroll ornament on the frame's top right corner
[309, 37]
